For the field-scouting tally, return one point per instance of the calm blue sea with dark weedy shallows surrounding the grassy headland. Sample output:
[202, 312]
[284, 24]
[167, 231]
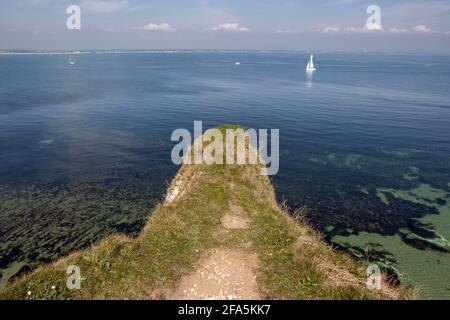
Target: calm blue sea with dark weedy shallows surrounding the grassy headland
[365, 146]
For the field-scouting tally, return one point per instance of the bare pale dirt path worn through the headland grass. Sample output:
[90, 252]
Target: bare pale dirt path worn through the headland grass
[227, 273]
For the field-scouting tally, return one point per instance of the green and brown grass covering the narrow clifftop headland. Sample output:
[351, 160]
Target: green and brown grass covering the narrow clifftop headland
[292, 260]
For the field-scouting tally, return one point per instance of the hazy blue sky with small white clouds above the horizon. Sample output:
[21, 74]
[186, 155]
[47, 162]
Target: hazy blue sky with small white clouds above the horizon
[418, 26]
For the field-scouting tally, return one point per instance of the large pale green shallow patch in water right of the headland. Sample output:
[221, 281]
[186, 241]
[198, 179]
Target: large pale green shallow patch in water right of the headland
[418, 256]
